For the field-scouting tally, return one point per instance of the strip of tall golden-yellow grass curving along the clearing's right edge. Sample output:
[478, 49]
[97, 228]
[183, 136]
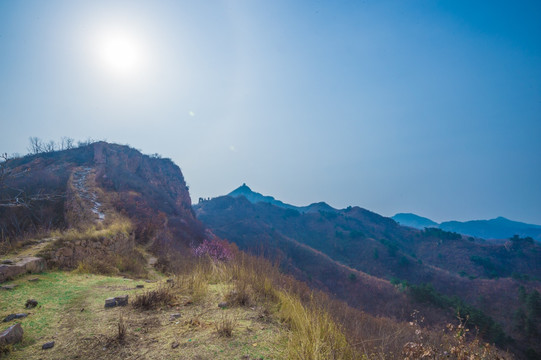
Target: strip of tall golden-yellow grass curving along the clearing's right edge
[313, 333]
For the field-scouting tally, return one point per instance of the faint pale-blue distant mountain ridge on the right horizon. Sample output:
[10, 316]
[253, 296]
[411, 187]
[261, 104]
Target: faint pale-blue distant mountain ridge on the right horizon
[499, 228]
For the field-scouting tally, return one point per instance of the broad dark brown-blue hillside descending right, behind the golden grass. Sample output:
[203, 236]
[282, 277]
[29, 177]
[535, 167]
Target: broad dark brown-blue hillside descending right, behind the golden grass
[334, 250]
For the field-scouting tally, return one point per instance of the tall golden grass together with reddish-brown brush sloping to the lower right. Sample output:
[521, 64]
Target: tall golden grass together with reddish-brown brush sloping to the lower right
[321, 324]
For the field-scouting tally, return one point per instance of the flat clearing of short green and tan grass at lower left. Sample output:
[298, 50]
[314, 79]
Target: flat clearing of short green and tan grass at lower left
[71, 312]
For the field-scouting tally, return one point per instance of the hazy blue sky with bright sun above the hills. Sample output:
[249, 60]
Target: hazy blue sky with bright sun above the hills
[432, 107]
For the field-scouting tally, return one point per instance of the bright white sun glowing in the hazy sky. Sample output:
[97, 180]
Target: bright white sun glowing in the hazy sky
[120, 52]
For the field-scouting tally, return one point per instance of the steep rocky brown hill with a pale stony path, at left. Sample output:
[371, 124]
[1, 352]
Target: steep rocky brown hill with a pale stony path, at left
[59, 186]
